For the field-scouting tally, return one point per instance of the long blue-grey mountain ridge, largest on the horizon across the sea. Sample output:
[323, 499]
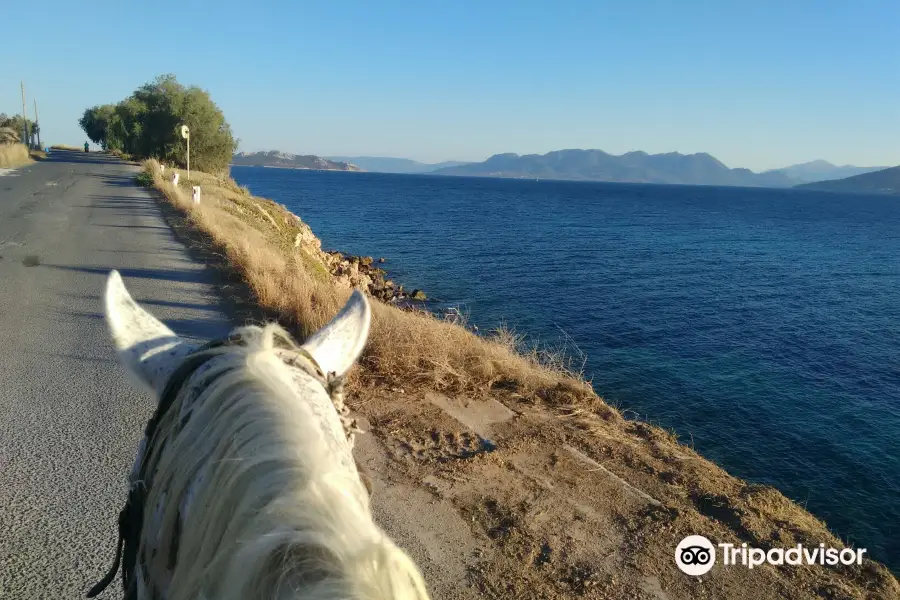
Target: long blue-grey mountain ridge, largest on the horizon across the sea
[634, 167]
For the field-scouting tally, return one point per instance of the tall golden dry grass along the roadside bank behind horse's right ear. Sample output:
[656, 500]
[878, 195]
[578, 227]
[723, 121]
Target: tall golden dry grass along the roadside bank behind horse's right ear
[406, 348]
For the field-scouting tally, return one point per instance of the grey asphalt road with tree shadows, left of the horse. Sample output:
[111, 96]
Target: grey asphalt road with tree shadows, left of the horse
[70, 420]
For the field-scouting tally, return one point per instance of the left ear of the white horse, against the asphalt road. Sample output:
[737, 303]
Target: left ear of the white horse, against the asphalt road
[147, 348]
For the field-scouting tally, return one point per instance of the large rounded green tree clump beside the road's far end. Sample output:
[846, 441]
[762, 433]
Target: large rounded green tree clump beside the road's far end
[147, 124]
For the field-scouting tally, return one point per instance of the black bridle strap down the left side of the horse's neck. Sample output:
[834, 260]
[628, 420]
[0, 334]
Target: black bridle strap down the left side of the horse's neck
[131, 517]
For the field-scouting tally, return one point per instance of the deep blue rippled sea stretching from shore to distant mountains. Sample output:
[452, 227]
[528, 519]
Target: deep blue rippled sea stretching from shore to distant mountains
[762, 324]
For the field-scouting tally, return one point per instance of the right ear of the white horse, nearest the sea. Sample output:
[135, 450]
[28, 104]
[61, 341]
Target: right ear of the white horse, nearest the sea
[337, 345]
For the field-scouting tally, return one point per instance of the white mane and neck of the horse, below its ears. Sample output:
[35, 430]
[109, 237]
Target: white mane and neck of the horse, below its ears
[249, 498]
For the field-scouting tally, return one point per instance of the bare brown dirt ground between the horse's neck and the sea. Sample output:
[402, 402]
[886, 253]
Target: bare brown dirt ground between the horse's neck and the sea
[503, 497]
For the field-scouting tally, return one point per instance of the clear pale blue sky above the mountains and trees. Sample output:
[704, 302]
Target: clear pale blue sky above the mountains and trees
[756, 84]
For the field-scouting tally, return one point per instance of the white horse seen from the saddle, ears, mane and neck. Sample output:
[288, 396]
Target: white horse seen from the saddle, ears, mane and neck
[245, 486]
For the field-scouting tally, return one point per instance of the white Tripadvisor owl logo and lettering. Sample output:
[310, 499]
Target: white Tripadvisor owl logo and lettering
[696, 555]
